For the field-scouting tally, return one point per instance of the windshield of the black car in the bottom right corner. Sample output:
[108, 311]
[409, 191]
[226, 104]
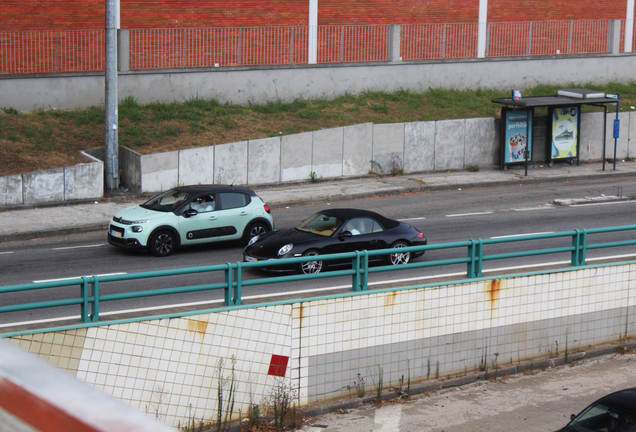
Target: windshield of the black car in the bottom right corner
[603, 418]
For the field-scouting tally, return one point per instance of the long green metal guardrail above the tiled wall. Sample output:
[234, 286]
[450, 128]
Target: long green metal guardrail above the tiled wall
[90, 298]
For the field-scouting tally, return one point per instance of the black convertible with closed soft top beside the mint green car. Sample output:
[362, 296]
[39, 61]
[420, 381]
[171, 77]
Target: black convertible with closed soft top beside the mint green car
[336, 231]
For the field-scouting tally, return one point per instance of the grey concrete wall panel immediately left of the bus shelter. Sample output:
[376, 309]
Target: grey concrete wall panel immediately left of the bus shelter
[480, 147]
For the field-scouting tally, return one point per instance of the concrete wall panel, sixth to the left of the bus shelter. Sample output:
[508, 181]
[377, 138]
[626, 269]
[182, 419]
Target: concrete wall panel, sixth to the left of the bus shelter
[327, 152]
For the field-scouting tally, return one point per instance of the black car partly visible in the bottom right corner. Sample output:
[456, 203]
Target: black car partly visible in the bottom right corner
[615, 412]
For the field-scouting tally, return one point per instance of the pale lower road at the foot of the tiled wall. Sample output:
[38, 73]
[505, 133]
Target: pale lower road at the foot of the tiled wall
[540, 401]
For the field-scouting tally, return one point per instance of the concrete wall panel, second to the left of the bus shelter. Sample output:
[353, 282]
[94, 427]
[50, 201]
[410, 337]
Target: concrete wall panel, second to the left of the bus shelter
[449, 144]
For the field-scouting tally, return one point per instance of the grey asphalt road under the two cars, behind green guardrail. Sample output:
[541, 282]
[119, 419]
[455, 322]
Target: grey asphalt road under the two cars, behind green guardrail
[447, 216]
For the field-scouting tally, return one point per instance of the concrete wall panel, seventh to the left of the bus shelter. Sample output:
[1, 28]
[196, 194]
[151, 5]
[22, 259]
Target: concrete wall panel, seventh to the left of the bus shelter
[295, 158]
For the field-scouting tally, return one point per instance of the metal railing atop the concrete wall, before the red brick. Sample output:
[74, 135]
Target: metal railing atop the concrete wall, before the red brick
[49, 51]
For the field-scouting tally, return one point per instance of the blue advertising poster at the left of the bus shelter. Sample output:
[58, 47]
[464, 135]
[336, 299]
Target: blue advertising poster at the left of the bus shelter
[518, 135]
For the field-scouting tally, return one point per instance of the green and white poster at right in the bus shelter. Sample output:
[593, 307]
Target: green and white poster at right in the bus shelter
[565, 132]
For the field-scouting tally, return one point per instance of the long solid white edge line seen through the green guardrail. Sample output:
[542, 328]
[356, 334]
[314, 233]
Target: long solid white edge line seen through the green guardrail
[49, 320]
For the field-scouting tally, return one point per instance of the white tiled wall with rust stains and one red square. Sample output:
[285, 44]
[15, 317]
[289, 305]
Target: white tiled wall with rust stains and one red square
[169, 368]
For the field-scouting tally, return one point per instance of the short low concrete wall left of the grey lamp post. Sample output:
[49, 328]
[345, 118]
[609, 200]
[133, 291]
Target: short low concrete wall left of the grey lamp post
[78, 182]
